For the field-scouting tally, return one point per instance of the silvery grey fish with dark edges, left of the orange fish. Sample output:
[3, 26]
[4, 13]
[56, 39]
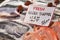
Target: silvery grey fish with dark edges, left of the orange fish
[14, 28]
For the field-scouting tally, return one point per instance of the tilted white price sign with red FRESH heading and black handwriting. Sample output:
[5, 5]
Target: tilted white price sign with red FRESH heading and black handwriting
[39, 15]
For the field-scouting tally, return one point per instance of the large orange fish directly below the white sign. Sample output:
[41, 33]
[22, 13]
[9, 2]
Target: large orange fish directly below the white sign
[43, 33]
